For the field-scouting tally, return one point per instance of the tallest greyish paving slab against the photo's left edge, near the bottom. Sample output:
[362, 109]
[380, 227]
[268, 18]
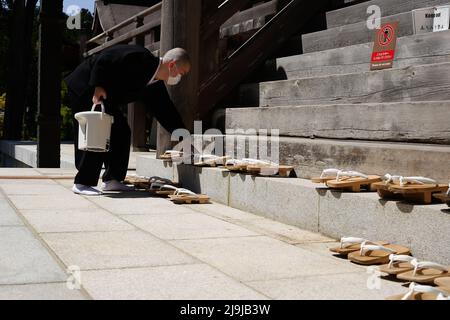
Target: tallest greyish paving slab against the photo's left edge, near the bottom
[25, 260]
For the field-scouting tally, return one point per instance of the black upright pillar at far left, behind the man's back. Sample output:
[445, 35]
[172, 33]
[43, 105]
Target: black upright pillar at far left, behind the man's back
[49, 84]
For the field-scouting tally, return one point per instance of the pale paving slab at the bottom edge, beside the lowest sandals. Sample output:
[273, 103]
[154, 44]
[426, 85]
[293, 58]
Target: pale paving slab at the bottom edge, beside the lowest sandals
[349, 286]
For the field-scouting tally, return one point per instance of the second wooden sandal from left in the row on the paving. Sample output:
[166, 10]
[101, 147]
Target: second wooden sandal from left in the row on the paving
[373, 254]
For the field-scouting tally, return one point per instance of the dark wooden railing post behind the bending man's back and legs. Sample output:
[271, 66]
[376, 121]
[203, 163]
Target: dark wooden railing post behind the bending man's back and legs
[137, 111]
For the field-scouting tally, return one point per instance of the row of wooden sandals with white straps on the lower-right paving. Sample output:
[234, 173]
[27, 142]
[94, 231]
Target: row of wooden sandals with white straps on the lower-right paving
[429, 281]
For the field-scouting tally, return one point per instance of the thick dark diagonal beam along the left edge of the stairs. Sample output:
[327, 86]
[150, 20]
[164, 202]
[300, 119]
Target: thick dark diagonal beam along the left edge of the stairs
[255, 51]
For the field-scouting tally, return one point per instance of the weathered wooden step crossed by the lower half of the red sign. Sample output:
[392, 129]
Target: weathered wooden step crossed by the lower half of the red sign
[411, 50]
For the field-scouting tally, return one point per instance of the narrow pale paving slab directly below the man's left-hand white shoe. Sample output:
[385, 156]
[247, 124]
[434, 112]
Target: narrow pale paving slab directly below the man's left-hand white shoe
[50, 202]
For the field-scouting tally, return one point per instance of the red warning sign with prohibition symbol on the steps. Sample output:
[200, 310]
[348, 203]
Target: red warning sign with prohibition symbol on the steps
[384, 47]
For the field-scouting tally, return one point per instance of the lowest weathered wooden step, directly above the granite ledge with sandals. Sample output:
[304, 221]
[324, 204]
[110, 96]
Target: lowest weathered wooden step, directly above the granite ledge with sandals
[311, 156]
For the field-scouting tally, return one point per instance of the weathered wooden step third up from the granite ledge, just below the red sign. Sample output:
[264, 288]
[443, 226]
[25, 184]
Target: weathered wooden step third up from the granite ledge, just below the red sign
[417, 83]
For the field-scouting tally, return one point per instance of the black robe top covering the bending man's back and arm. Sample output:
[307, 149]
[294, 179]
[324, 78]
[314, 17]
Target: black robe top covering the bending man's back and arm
[124, 71]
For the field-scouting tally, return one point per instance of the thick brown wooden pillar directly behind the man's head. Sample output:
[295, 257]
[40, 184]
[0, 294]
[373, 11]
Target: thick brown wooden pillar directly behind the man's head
[180, 27]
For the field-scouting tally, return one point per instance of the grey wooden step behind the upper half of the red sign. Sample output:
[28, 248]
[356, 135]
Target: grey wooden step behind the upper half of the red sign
[352, 34]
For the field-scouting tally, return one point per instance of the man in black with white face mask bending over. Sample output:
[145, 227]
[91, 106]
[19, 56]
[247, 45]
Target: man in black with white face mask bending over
[120, 75]
